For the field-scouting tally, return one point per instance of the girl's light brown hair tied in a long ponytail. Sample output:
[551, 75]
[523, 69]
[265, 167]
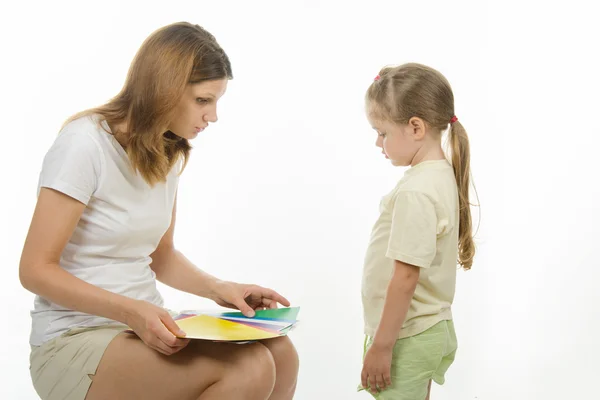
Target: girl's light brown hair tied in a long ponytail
[415, 90]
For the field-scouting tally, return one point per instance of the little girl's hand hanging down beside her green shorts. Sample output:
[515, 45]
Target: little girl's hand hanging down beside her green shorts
[377, 365]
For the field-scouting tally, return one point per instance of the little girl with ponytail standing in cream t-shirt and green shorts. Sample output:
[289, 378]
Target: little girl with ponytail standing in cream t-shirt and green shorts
[423, 229]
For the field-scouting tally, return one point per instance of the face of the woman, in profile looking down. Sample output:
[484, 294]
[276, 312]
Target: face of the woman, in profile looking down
[198, 107]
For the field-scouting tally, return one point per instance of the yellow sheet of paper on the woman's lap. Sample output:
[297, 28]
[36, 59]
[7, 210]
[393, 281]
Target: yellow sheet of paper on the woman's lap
[212, 328]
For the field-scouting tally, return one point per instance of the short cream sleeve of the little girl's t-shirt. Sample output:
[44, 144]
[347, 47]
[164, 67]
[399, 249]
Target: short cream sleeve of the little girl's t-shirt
[413, 236]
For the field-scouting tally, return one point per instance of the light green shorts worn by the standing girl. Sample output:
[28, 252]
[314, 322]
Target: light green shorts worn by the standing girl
[417, 360]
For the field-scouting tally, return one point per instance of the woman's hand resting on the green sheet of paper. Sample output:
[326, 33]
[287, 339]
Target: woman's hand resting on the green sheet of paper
[246, 298]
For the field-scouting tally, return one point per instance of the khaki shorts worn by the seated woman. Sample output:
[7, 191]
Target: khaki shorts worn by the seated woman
[61, 368]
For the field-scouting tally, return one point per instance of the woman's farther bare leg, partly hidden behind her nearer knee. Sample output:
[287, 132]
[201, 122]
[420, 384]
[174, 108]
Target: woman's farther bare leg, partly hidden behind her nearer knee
[286, 367]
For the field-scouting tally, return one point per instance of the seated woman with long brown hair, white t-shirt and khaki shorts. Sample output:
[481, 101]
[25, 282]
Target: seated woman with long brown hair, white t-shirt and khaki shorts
[102, 233]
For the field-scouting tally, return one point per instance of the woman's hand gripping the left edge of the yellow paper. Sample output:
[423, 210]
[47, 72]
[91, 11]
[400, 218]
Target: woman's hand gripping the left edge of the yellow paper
[155, 327]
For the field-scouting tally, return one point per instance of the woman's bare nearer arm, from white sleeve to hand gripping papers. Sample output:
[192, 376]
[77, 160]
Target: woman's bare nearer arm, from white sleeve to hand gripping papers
[54, 220]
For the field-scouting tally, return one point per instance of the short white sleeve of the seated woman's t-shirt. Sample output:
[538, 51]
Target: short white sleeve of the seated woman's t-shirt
[72, 165]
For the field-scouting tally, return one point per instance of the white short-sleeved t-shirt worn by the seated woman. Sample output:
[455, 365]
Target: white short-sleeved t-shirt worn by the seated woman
[121, 226]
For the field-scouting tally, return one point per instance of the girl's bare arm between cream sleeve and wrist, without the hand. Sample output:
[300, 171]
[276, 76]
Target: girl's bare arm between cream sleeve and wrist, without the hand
[397, 301]
